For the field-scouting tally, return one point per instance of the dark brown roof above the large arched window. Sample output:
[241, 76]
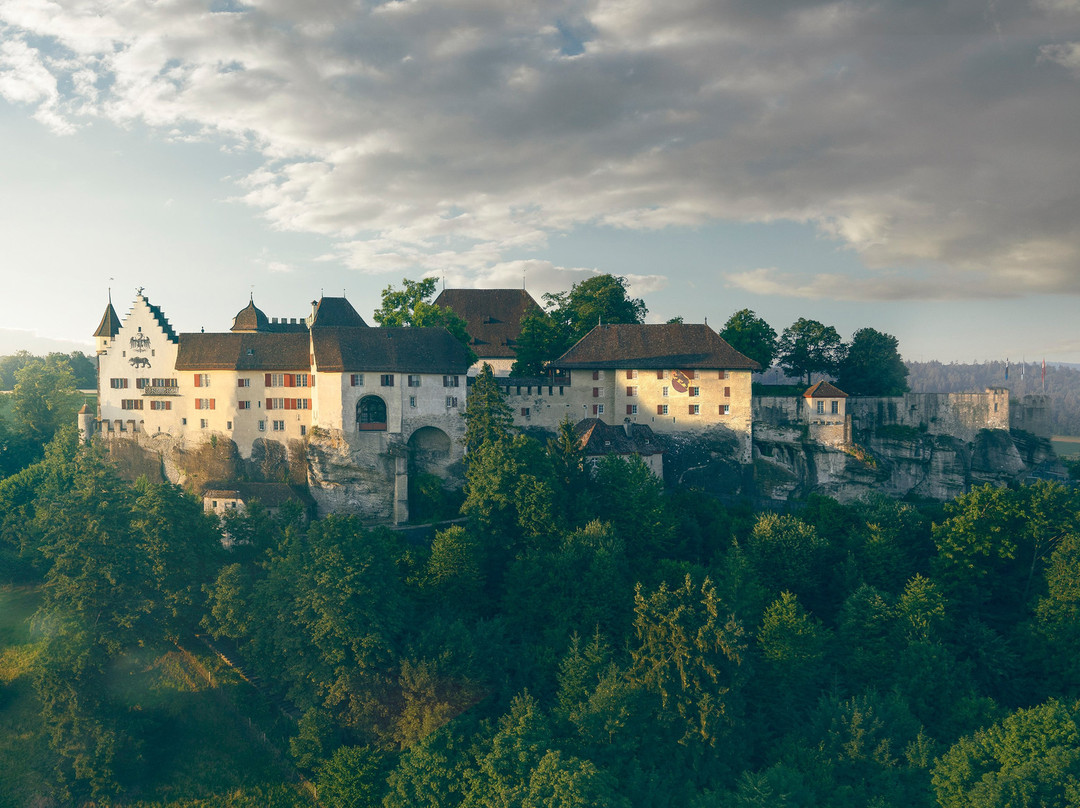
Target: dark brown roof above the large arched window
[403, 351]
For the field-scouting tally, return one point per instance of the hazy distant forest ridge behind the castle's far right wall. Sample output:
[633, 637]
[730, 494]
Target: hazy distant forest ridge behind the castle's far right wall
[1062, 385]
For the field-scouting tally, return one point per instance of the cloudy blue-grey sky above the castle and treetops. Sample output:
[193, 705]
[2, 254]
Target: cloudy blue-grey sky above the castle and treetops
[911, 166]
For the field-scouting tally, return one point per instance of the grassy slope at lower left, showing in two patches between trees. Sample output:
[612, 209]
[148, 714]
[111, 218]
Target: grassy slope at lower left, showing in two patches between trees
[205, 751]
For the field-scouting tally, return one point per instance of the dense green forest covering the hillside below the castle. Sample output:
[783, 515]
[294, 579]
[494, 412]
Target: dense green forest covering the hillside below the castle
[576, 641]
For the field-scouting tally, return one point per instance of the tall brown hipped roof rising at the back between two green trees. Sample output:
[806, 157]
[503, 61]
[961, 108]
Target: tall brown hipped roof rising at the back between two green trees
[493, 317]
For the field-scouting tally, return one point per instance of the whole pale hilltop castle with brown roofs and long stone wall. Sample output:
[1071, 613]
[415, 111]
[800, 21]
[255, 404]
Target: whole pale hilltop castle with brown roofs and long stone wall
[358, 414]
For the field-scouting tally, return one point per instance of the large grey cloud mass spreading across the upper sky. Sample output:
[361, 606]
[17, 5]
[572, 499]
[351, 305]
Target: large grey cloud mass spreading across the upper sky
[462, 136]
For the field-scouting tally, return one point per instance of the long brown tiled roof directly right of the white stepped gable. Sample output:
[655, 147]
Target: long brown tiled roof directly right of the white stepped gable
[253, 352]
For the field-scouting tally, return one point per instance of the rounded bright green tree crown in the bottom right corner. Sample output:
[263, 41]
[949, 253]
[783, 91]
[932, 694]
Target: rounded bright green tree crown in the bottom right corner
[1031, 759]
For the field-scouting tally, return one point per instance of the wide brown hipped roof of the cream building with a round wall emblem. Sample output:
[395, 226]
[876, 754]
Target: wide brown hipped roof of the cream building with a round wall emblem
[668, 346]
